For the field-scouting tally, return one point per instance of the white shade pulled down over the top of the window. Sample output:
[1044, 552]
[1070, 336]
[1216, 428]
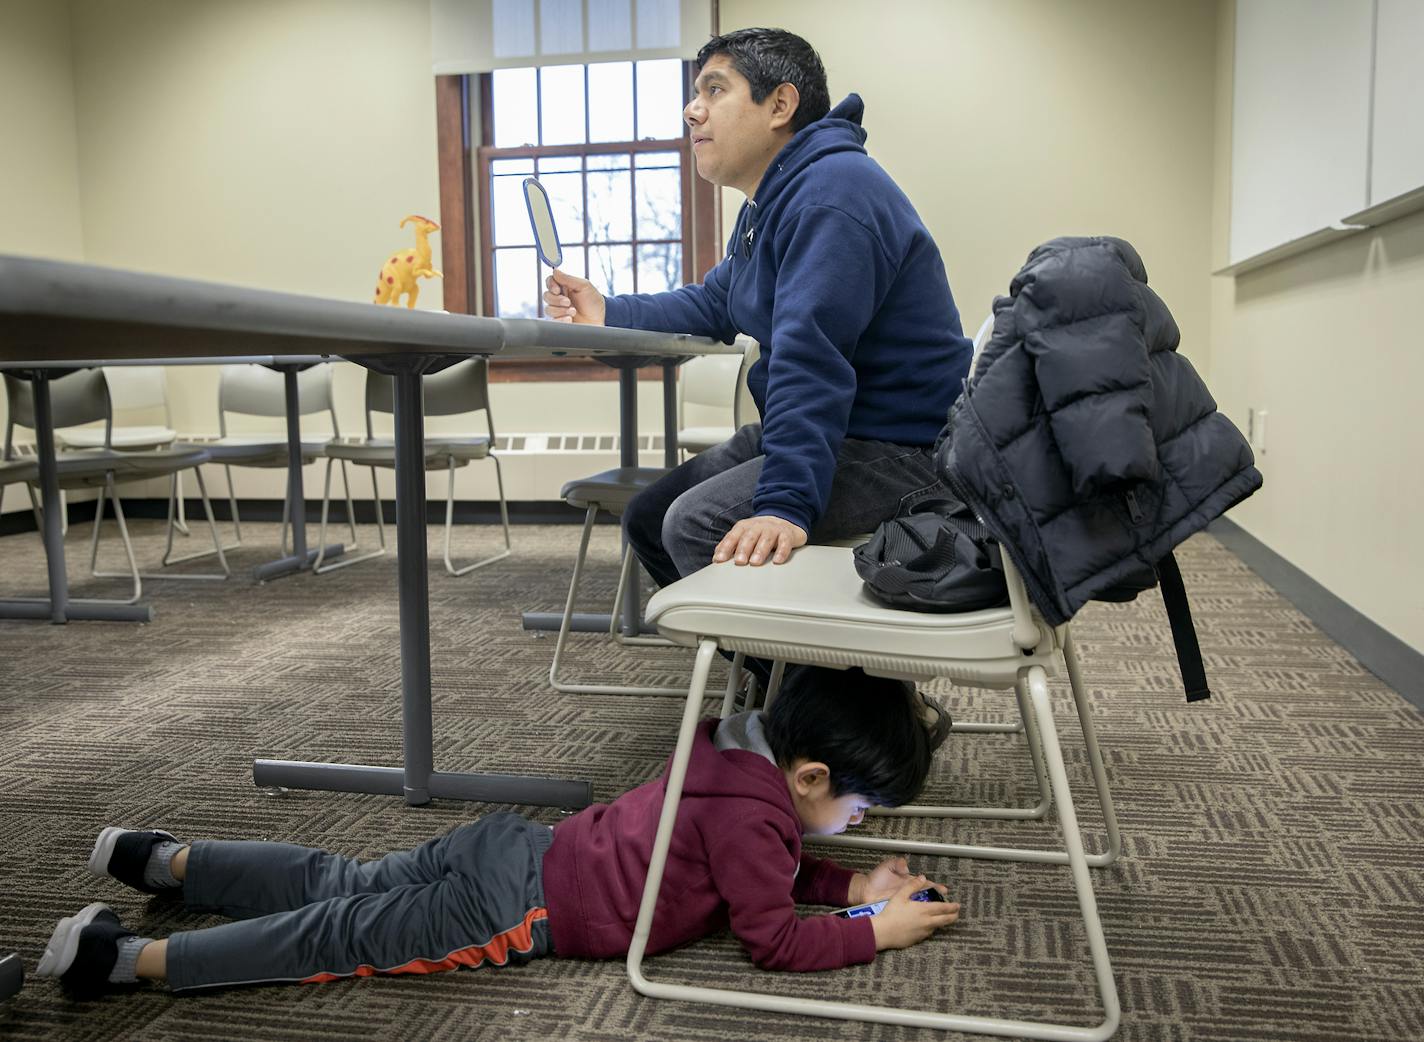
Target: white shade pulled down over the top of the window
[478, 36]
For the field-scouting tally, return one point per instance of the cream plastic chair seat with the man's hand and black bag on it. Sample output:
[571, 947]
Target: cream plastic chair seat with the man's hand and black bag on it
[815, 610]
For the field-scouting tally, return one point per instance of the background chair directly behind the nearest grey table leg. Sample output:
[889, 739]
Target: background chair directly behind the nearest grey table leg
[461, 389]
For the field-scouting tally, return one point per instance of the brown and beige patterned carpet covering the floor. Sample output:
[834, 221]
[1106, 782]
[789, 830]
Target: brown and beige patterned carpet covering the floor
[1272, 882]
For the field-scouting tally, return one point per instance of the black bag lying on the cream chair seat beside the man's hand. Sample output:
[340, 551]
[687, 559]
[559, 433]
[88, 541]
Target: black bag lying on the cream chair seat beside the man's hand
[935, 559]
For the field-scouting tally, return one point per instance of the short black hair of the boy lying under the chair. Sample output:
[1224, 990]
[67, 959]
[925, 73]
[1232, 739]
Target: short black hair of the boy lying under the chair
[874, 734]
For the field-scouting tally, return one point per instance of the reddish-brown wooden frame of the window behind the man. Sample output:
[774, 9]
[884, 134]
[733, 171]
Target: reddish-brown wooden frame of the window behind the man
[473, 207]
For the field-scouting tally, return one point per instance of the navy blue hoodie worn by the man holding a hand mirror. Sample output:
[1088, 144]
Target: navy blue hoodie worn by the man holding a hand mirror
[835, 275]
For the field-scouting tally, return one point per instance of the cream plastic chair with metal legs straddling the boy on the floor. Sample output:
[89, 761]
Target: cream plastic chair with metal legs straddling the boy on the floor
[815, 610]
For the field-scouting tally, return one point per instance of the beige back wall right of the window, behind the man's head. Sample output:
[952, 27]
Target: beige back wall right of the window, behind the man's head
[1012, 122]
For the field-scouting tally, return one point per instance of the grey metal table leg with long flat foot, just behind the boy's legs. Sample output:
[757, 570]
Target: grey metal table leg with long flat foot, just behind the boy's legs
[418, 781]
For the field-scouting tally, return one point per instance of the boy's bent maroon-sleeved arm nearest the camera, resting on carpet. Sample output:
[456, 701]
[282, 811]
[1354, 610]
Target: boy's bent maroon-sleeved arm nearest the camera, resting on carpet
[755, 875]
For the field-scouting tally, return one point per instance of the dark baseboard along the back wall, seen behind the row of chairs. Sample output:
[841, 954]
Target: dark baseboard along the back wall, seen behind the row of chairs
[466, 513]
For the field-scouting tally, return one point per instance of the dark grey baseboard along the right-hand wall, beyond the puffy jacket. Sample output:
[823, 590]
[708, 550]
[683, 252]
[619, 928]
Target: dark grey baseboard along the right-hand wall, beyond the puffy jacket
[1379, 651]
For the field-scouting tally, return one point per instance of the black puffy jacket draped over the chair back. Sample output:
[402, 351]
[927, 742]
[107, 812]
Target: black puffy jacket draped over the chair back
[1084, 442]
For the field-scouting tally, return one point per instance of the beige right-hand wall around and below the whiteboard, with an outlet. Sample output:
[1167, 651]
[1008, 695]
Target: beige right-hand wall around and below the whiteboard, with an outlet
[1328, 344]
